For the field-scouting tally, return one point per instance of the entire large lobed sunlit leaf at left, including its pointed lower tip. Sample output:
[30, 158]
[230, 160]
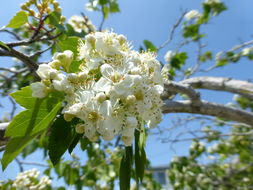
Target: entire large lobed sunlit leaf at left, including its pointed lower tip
[30, 123]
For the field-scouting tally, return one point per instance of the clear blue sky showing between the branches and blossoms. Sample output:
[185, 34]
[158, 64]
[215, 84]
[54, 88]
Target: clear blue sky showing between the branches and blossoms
[152, 20]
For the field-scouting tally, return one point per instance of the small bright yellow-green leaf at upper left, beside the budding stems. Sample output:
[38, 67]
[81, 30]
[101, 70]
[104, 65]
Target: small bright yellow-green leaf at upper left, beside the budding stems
[18, 20]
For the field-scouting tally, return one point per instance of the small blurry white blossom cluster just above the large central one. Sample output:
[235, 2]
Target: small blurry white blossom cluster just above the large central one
[81, 23]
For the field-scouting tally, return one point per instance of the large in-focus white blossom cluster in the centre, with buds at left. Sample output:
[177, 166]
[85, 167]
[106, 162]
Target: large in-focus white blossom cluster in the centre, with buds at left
[115, 90]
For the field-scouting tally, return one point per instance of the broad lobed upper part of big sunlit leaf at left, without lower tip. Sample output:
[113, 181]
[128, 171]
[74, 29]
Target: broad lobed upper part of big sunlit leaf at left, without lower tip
[38, 116]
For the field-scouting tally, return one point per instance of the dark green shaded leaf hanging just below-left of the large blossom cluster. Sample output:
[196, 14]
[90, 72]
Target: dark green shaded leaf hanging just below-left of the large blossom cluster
[60, 139]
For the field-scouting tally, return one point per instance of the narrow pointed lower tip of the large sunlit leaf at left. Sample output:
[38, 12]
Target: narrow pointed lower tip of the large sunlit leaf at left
[14, 147]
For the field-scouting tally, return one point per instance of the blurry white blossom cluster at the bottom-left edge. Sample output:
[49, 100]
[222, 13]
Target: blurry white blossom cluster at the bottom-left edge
[28, 180]
